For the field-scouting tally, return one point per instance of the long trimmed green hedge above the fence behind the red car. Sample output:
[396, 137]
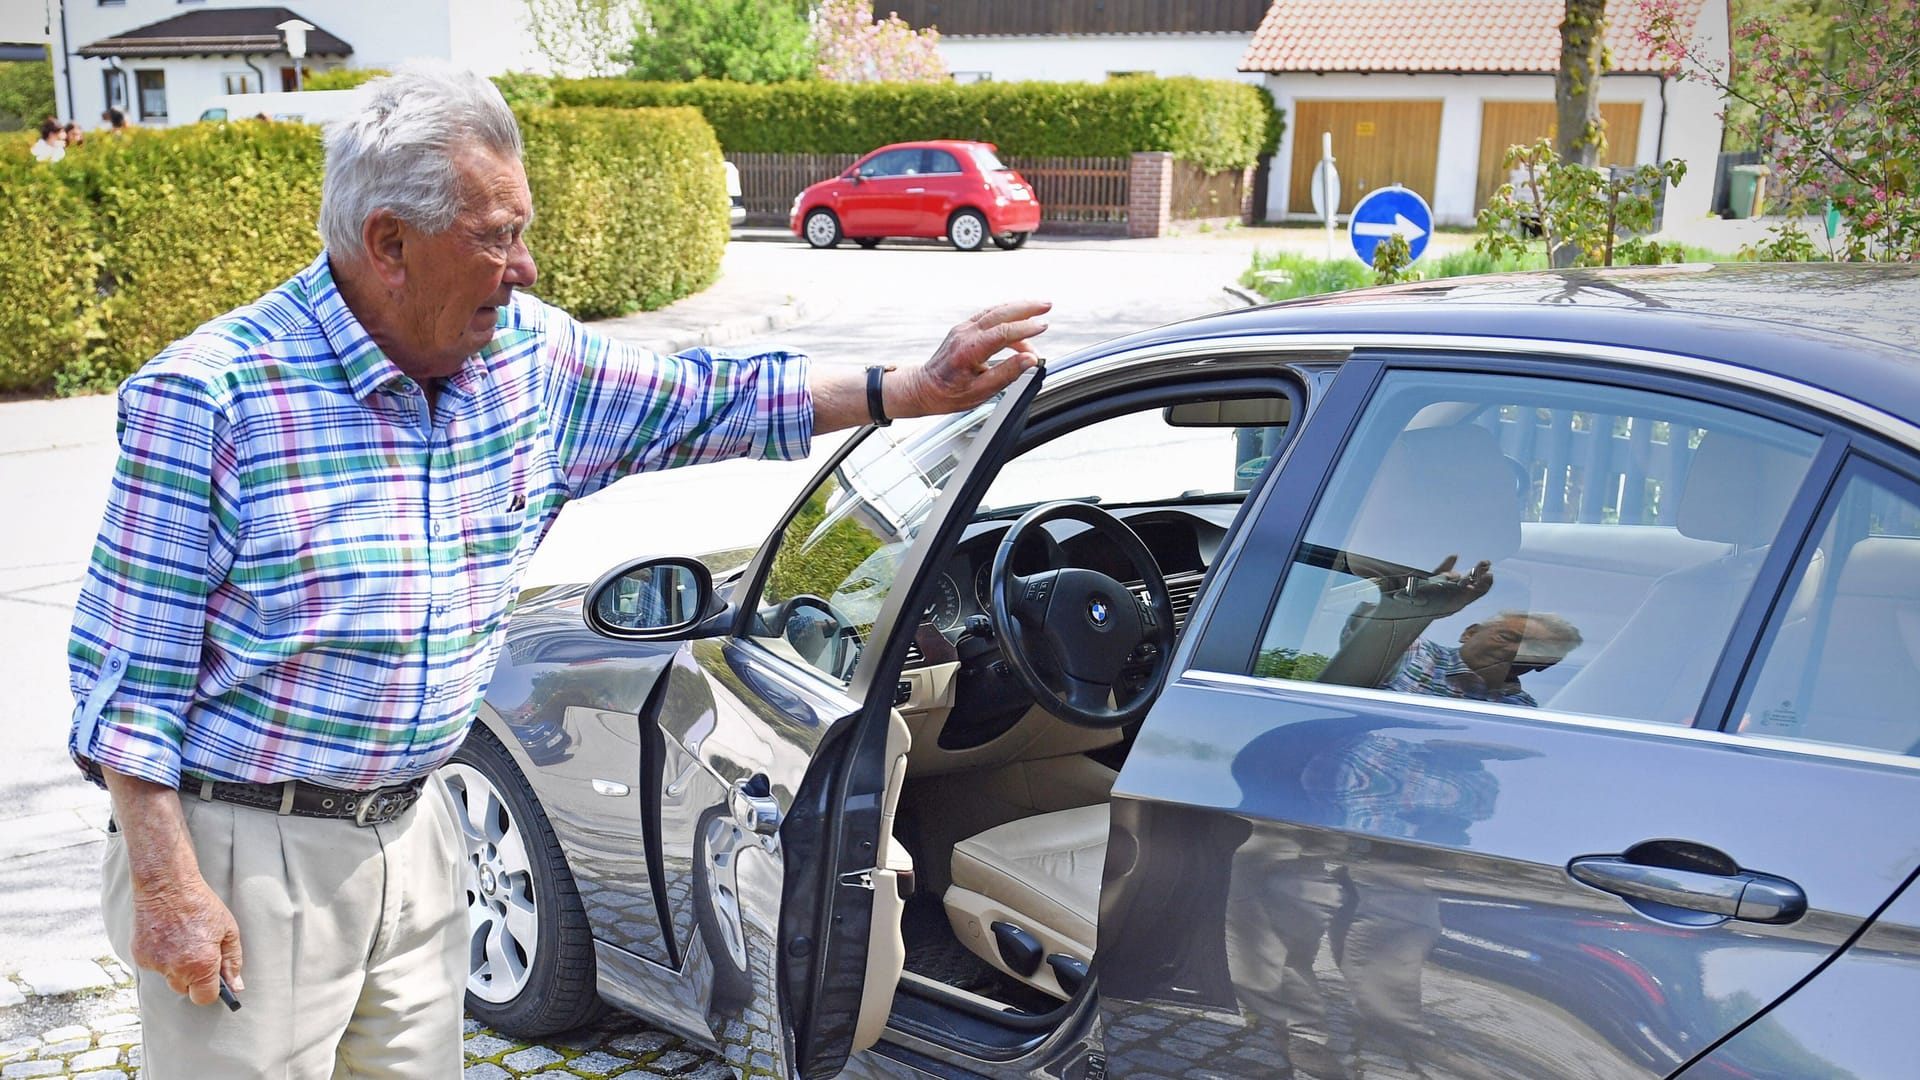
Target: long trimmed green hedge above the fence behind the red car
[1214, 124]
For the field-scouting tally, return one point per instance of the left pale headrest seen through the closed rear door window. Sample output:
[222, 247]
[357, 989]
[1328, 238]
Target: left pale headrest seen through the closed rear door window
[1441, 491]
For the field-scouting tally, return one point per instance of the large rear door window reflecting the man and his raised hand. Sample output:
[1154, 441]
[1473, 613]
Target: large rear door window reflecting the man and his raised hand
[1535, 543]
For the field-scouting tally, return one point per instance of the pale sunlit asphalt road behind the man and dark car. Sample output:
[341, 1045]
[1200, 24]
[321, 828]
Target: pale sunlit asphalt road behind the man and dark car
[884, 307]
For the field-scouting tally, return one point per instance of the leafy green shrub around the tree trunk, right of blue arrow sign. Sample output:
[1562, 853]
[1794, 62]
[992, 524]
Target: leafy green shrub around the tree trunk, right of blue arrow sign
[1595, 216]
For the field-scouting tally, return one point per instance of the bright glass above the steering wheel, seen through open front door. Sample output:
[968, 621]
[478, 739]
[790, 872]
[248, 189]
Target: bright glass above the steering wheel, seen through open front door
[1140, 456]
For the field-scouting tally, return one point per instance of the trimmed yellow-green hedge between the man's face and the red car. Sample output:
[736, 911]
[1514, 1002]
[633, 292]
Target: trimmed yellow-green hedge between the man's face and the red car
[631, 207]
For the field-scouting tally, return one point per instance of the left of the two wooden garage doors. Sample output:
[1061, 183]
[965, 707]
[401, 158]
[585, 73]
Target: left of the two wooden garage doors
[1374, 143]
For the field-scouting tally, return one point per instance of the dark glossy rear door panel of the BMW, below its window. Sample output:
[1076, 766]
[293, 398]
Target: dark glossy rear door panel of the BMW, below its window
[1426, 908]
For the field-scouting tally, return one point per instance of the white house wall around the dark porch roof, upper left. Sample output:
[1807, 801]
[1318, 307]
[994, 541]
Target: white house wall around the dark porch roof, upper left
[487, 36]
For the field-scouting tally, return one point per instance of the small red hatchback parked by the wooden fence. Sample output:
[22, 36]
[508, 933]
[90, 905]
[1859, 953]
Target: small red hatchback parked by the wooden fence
[946, 187]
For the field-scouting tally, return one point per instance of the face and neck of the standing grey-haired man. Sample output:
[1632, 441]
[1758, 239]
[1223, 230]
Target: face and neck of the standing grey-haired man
[460, 280]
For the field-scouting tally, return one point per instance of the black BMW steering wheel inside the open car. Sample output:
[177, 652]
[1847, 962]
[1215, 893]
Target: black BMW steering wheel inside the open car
[1076, 627]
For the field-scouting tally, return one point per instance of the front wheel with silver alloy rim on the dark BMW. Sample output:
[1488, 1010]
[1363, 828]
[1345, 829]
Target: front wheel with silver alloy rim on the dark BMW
[531, 952]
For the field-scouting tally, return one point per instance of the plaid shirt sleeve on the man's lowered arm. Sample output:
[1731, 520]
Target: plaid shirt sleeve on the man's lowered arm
[166, 539]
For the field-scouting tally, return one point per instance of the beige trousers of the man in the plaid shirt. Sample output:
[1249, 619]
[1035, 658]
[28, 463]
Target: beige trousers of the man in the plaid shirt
[354, 948]
